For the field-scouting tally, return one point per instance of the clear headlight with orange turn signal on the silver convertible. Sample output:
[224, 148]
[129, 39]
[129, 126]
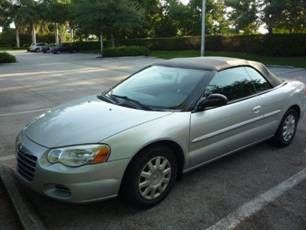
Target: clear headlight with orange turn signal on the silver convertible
[79, 155]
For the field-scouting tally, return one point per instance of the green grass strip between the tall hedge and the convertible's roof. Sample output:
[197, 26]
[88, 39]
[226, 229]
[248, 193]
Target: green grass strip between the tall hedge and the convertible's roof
[269, 60]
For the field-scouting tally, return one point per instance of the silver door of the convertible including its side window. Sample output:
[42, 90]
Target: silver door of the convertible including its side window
[217, 131]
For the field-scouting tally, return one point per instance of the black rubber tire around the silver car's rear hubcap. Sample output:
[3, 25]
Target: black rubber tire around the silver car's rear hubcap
[280, 139]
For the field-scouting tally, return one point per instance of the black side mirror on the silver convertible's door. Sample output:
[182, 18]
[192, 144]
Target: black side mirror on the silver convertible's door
[213, 100]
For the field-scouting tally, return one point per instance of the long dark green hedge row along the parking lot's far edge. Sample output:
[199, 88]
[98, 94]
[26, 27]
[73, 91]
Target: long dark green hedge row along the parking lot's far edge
[277, 44]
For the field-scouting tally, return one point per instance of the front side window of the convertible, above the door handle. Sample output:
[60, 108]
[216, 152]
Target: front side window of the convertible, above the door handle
[234, 83]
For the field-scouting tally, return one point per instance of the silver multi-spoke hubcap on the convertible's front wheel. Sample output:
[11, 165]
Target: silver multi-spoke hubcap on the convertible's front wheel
[154, 178]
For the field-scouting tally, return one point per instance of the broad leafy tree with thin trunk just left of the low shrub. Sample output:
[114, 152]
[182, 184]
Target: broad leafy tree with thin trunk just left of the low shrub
[106, 17]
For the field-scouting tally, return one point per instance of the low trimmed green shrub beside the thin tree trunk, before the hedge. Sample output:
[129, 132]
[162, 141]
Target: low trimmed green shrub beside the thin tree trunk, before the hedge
[122, 51]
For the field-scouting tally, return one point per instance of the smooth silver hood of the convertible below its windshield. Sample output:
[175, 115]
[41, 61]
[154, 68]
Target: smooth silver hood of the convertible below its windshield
[85, 121]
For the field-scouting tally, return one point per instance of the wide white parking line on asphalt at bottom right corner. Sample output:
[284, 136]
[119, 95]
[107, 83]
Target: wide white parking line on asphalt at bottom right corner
[250, 208]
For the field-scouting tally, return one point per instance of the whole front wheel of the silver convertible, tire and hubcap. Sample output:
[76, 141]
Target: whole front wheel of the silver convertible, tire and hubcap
[150, 176]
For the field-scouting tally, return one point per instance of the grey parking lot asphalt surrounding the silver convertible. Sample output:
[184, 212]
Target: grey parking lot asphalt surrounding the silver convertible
[41, 81]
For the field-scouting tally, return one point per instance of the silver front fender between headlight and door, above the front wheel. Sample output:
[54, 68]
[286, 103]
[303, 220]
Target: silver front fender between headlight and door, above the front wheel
[174, 127]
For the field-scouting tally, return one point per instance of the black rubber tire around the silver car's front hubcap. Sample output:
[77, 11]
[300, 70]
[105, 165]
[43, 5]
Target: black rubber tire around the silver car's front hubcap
[130, 190]
